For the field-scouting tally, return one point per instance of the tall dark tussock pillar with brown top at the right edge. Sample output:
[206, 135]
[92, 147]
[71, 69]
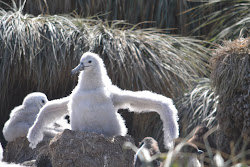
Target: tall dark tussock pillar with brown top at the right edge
[231, 80]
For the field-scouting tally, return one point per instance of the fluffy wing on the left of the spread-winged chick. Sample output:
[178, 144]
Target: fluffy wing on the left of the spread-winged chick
[48, 114]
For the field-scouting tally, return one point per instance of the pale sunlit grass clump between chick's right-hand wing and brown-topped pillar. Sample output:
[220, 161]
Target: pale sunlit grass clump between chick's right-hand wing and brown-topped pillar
[197, 107]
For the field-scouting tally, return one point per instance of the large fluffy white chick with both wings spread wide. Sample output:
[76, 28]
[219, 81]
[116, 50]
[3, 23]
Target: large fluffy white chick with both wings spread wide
[94, 102]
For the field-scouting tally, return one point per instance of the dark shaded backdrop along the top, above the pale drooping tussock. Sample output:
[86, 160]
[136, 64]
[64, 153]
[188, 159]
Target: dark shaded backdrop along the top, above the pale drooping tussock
[158, 13]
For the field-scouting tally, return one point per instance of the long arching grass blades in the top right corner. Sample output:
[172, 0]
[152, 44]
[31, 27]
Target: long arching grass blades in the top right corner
[226, 19]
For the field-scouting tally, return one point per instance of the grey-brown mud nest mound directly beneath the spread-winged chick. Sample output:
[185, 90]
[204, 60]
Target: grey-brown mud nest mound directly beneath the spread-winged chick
[75, 148]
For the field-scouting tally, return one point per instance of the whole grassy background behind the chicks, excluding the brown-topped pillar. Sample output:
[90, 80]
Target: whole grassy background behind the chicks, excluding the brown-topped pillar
[159, 45]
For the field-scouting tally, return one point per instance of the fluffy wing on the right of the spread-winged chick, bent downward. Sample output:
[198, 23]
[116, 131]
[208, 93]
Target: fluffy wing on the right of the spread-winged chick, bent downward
[143, 101]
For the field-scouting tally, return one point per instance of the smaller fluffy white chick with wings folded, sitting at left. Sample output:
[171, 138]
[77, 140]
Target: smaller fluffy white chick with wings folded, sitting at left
[22, 117]
